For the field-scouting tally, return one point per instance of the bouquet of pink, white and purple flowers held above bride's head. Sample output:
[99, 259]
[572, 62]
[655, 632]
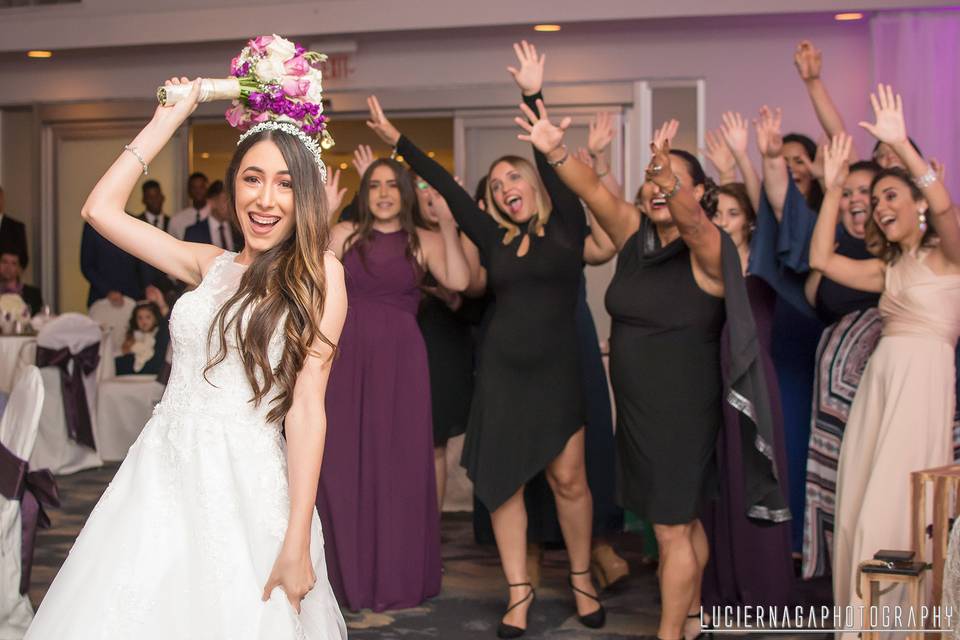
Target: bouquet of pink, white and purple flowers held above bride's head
[272, 78]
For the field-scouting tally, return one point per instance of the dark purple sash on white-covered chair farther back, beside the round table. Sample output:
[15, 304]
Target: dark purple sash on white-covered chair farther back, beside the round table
[75, 407]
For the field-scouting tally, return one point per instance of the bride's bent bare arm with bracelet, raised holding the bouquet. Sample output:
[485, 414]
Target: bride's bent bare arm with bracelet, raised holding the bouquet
[104, 208]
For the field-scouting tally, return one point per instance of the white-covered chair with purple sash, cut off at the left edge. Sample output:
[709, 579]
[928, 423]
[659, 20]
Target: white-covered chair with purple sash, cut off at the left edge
[18, 433]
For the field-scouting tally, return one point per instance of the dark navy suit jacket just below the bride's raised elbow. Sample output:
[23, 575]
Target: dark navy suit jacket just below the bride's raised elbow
[108, 268]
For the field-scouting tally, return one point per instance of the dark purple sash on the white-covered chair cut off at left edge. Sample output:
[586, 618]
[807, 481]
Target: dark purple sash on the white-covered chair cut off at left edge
[35, 490]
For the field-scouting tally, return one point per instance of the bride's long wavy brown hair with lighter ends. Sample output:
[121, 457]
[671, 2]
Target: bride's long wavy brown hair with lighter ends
[288, 278]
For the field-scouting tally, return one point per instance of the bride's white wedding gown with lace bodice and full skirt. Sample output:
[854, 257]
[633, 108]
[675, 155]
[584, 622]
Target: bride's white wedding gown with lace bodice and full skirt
[183, 540]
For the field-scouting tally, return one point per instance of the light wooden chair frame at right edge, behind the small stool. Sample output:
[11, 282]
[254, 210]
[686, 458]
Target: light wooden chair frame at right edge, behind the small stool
[946, 483]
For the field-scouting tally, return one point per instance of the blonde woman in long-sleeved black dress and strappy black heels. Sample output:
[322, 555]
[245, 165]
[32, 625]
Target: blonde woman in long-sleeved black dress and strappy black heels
[527, 411]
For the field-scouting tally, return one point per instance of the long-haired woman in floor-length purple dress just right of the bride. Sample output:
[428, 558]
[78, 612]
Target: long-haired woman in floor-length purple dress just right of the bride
[377, 496]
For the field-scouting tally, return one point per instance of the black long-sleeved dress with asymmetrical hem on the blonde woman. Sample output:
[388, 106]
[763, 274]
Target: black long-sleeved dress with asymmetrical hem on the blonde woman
[527, 398]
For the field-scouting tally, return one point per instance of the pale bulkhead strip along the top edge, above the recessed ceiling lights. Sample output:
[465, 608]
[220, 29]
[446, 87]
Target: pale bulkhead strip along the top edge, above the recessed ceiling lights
[102, 23]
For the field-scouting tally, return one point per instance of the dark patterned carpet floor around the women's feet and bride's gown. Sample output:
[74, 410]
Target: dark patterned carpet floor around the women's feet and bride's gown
[473, 593]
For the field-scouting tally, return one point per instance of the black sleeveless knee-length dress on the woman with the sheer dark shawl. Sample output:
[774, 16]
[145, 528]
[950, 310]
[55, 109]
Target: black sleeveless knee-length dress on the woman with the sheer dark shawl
[666, 376]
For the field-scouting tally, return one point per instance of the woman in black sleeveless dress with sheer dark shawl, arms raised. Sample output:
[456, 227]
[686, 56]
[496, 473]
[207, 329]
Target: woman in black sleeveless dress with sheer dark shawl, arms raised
[678, 279]
